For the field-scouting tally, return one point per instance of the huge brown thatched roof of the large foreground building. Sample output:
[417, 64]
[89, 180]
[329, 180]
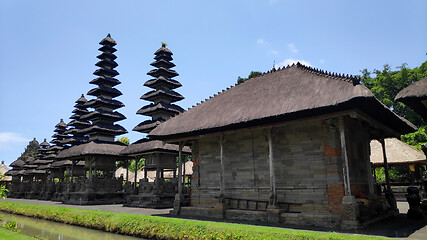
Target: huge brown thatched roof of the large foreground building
[278, 96]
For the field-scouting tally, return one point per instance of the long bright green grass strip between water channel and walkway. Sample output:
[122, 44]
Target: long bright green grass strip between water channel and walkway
[164, 228]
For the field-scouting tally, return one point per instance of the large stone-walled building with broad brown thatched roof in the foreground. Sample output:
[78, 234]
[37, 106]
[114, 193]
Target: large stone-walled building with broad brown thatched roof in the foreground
[290, 146]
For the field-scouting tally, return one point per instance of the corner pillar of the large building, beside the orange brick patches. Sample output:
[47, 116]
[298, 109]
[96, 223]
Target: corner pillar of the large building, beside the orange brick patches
[349, 207]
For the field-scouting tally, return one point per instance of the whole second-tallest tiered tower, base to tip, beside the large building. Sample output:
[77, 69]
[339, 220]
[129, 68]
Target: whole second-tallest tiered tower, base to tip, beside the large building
[159, 157]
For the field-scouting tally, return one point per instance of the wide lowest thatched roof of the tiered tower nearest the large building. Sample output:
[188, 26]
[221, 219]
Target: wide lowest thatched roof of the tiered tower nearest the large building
[147, 145]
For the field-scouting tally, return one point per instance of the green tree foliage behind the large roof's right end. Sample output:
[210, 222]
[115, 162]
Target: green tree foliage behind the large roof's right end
[387, 83]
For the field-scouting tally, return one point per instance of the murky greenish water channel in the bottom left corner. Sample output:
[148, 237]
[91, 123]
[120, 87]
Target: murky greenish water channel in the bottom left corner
[58, 231]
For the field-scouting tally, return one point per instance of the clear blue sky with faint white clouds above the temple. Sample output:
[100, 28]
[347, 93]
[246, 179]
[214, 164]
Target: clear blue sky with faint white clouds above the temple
[48, 49]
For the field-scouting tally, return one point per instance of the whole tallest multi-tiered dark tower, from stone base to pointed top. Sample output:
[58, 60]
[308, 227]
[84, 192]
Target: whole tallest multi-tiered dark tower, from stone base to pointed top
[101, 152]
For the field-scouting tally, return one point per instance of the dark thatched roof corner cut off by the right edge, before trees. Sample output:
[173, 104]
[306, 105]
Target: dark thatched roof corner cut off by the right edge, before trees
[415, 96]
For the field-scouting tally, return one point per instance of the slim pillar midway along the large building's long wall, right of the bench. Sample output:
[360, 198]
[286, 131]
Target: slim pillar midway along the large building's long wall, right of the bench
[273, 212]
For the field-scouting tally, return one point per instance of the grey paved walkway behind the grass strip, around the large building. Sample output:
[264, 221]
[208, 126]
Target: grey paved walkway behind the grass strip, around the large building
[397, 227]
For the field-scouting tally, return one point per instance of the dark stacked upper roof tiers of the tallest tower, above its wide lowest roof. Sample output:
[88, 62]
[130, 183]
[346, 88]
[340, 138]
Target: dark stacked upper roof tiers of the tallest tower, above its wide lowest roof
[103, 117]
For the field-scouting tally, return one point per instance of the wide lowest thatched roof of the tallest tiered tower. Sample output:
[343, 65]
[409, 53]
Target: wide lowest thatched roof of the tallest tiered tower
[92, 148]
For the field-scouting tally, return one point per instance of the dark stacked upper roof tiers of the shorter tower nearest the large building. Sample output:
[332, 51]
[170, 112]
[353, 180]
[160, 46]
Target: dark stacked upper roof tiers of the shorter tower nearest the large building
[163, 96]
